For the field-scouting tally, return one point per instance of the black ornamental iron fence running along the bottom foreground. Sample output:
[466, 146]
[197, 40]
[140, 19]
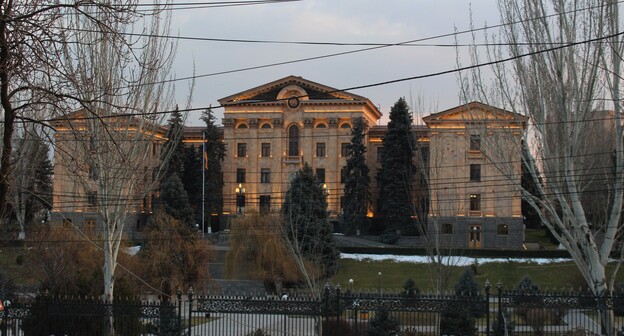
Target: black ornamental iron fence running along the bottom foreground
[335, 313]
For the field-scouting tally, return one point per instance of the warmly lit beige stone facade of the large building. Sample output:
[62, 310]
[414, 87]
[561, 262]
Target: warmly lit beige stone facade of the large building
[468, 161]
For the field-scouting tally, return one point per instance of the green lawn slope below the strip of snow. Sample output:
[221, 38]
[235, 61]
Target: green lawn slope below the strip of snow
[554, 276]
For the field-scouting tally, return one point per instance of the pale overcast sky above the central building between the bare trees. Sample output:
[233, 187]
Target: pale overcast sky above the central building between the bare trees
[344, 21]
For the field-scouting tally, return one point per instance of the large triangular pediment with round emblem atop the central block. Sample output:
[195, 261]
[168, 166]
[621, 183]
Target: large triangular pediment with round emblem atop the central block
[270, 92]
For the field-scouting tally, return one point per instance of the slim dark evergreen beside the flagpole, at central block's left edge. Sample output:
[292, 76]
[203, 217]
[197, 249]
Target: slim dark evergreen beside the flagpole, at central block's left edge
[213, 156]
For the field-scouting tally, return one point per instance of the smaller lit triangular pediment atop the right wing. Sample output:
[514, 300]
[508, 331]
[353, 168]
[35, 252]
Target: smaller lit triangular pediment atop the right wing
[474, 112]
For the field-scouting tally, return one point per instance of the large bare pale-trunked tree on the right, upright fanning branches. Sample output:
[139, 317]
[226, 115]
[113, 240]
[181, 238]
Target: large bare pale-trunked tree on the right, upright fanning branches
[564, 60]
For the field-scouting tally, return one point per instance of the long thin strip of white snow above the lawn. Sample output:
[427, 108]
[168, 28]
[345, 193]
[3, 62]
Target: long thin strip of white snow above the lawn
[449, 260]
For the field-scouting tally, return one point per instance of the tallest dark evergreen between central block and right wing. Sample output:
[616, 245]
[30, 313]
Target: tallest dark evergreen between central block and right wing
[395, 177]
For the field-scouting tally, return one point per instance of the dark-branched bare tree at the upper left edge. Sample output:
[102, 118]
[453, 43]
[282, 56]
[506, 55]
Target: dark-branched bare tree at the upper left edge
[34, 75]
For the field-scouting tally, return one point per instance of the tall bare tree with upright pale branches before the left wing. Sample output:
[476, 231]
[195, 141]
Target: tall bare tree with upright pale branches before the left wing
[111, 147]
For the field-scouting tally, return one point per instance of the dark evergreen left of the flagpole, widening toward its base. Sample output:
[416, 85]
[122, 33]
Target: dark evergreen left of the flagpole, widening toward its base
[173, 197]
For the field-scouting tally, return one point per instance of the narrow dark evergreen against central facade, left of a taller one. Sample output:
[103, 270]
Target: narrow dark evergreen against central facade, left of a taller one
[357, 181]
